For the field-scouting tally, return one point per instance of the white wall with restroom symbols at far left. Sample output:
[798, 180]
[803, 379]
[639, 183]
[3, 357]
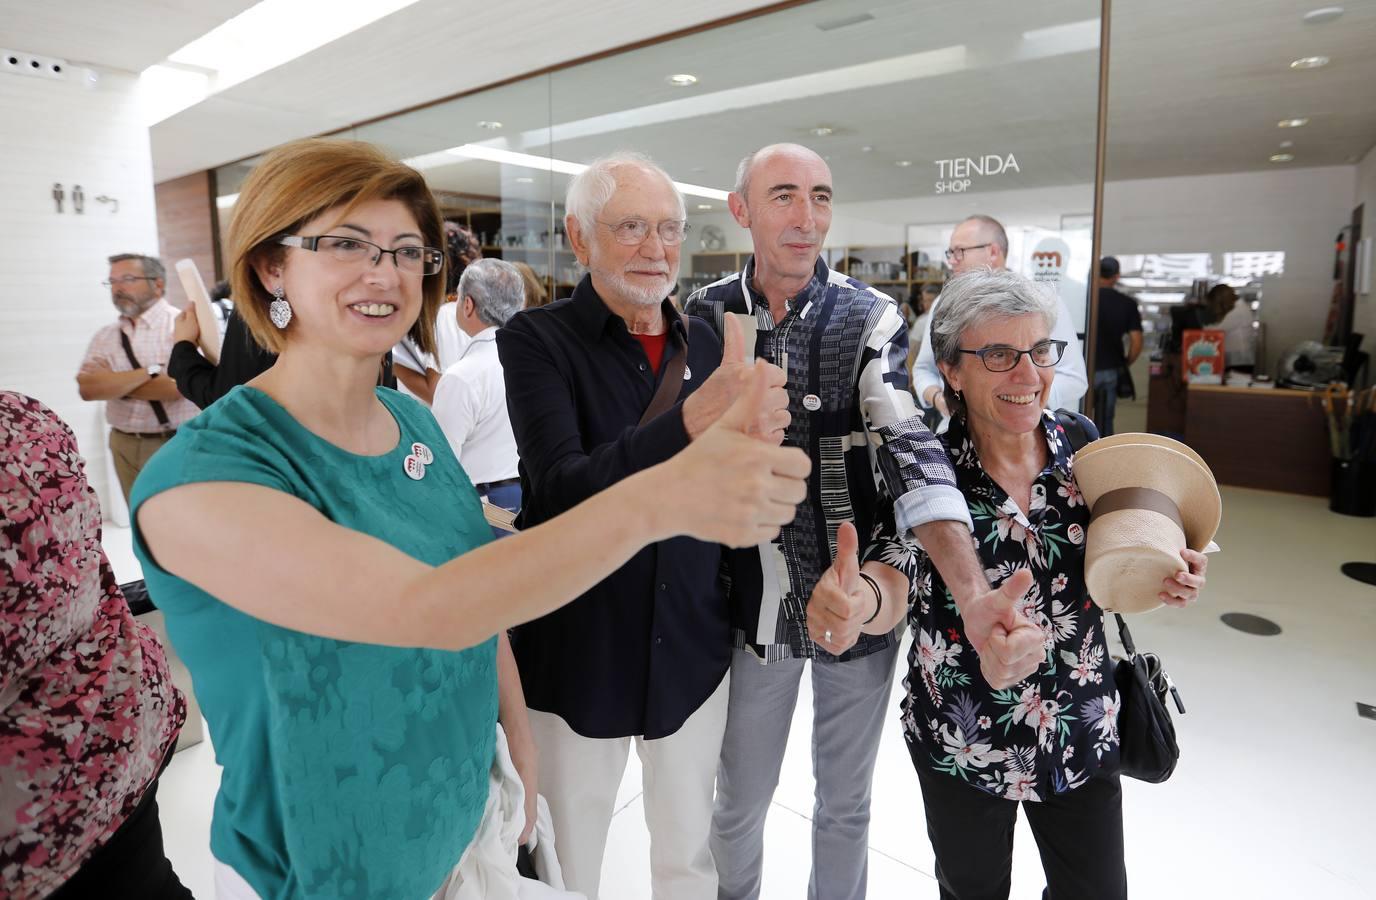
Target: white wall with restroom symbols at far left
[52, 266]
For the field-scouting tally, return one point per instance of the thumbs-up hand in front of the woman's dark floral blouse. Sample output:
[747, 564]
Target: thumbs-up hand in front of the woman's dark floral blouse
[1009, 645]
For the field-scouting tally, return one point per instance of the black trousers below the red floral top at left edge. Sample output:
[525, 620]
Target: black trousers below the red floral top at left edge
[131, 864]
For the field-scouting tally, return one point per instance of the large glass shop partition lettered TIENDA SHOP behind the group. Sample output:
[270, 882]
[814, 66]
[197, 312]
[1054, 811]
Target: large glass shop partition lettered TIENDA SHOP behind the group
[925, 119]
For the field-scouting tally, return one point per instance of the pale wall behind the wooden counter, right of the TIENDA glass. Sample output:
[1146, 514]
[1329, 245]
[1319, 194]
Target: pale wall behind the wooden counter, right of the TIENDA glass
[1297, 211]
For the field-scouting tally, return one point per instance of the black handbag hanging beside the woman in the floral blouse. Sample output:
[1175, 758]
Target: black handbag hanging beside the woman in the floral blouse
[1148, 751]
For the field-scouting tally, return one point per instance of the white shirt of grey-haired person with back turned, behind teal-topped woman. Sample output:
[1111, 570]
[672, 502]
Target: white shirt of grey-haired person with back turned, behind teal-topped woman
[471, 409]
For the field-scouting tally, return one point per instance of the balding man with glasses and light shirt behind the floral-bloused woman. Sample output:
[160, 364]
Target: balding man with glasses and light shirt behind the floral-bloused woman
[979, 243]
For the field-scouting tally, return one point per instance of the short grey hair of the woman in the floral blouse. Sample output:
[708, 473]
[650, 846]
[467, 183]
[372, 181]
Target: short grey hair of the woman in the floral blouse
[975, 298]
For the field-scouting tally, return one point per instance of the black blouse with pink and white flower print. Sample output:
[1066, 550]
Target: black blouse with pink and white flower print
[1053, 731]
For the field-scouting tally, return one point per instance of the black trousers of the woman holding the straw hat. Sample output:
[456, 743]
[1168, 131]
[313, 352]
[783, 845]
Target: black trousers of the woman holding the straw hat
[1079, 836]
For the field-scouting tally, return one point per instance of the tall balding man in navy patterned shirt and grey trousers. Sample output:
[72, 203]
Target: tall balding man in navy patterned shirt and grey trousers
[876, 471]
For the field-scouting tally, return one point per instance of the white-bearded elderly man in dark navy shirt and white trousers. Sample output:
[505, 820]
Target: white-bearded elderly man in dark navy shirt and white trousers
[601, 386]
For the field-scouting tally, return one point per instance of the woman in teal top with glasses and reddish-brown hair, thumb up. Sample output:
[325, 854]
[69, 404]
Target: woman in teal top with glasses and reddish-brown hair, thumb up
[323, 561]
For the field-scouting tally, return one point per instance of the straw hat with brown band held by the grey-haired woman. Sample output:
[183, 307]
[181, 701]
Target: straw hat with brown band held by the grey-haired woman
[1151, 497]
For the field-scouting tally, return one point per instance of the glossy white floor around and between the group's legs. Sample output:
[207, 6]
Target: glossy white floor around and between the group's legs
[1273, 797]
